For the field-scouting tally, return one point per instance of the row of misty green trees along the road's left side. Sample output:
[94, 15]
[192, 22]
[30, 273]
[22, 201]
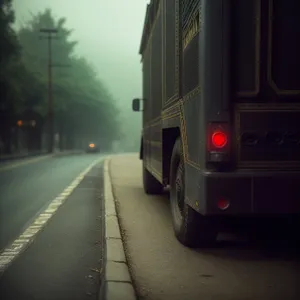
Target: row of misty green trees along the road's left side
[83, 107]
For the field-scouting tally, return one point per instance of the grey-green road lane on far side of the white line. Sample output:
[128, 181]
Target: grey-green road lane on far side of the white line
[25, 190]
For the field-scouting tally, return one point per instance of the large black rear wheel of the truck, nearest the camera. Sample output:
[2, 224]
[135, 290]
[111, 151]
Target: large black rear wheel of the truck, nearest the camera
[191, 228]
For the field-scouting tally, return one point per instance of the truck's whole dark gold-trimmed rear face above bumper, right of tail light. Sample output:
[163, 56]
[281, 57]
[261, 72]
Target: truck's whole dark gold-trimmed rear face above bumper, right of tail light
[266, 63]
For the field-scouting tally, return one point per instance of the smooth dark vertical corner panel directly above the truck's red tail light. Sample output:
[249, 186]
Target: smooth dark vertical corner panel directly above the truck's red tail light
[215, 60]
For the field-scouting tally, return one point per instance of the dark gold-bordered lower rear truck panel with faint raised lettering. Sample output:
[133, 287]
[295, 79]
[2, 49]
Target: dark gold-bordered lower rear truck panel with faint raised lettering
[272, 140]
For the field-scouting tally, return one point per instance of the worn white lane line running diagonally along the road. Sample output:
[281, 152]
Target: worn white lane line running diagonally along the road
[25, 239]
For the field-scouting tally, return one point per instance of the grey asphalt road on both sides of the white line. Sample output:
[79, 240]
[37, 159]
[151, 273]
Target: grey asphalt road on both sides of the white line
[65, 259]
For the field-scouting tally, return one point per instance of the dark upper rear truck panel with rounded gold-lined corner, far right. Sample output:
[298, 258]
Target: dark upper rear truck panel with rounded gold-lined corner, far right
[284, 47]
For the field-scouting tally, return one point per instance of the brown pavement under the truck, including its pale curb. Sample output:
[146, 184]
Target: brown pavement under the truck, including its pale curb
[160, 268]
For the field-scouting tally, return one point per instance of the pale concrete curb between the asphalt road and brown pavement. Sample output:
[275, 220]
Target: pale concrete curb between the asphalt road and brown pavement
[117, 283]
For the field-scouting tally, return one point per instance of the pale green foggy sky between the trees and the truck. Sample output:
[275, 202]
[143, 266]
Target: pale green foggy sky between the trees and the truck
[108, 32]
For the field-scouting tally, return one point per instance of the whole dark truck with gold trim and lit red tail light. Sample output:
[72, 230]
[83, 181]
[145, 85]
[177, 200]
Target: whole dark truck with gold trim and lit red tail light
[221, 111]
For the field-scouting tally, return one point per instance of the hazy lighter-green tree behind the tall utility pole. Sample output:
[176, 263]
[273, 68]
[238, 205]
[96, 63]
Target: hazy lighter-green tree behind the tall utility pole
[83, 107]
